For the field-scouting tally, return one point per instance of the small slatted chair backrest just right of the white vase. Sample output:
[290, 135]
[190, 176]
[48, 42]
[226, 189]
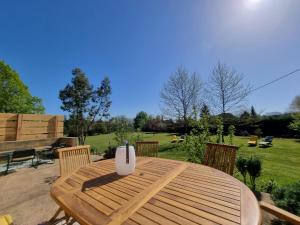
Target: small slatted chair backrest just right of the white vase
[146, 148]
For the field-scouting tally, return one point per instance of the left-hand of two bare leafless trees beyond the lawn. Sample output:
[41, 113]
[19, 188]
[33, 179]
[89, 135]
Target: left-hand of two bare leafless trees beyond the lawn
[181, 95]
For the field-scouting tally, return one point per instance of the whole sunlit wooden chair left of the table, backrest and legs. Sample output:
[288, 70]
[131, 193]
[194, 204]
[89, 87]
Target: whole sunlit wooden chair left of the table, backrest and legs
[70, 159]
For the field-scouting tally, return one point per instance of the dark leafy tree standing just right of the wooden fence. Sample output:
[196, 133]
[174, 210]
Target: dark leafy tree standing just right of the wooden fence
[84, 103]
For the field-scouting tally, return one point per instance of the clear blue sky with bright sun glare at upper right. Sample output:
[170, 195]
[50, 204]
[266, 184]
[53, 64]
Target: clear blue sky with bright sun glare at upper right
[139, 43]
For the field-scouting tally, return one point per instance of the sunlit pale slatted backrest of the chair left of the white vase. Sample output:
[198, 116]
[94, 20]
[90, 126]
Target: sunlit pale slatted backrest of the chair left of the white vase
[72, 158]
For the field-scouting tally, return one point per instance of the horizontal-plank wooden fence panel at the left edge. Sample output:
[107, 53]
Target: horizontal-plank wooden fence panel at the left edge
[14, 127]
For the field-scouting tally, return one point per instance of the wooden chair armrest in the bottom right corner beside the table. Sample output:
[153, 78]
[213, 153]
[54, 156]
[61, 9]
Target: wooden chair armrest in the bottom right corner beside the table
[280, 213]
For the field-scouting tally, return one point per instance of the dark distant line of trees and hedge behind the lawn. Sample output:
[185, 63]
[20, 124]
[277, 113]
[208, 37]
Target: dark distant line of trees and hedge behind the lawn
[245, 124]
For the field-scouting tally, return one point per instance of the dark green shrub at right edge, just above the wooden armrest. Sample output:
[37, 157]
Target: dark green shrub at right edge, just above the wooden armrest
[288, 198]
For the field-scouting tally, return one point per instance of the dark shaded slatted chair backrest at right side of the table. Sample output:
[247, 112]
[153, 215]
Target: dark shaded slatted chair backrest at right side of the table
[221, 157]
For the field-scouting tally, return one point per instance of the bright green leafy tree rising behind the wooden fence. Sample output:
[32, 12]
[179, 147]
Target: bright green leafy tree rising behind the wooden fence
[14, 94]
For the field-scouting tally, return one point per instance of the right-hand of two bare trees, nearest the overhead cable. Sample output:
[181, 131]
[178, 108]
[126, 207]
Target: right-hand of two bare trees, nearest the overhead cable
[226, 88]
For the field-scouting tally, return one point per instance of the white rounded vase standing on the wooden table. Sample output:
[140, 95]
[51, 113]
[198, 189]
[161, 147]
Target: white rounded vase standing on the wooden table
[124, 167]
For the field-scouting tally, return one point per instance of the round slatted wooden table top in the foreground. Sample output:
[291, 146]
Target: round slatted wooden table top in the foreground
[160, 191]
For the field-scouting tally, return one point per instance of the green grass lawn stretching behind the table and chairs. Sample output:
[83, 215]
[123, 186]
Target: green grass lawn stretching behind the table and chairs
[281, 161]
